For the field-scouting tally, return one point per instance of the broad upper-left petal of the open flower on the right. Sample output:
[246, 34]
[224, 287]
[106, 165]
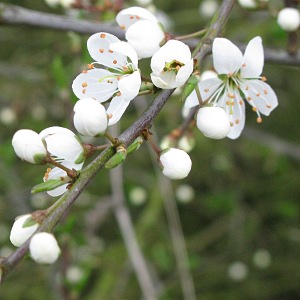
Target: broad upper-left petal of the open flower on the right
[227, 57]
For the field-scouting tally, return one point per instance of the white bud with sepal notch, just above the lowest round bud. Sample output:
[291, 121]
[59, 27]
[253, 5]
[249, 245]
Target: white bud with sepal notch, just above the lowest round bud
[20, 234]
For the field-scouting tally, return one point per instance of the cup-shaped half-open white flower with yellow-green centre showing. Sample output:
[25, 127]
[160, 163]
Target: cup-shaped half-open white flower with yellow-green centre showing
[171, 65]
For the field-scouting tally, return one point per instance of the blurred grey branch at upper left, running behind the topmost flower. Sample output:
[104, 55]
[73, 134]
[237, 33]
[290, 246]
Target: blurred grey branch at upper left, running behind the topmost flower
[16, 15]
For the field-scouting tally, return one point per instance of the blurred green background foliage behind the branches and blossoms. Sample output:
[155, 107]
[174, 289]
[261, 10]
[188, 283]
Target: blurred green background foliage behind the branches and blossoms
[239, 207]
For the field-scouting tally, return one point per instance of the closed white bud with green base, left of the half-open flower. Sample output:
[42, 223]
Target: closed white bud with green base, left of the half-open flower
[29, 146]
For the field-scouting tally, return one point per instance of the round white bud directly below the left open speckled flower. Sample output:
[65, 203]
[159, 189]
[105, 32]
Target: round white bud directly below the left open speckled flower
[90, 118]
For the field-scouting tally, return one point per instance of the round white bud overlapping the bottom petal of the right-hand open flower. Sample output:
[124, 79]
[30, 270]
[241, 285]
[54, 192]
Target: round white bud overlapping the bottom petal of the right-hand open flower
[213, 122]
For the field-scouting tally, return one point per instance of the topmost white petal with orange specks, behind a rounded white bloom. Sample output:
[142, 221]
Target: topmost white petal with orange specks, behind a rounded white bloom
[129, 16]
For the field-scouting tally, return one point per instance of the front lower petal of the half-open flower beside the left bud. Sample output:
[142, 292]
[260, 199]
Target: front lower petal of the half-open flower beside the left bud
[64, 146]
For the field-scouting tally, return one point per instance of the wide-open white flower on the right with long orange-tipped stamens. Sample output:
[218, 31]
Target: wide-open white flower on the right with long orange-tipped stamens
[239, 79]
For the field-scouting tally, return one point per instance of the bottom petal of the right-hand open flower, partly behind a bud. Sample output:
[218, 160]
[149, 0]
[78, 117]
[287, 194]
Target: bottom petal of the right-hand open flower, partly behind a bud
[236, 114]
